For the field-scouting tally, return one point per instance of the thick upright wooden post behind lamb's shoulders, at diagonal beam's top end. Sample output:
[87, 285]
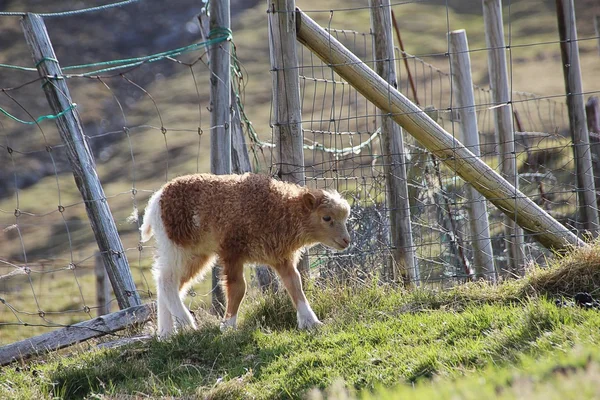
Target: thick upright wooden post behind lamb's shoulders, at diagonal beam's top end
[287, 124]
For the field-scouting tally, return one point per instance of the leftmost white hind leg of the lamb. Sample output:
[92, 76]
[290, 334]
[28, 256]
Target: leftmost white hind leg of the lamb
[169, 270]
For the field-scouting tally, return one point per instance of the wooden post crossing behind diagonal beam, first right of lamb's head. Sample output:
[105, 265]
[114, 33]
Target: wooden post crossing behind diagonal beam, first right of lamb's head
[403, 254]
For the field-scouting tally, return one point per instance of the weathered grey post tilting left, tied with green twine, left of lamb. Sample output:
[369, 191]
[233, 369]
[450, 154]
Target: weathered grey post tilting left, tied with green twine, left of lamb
[81, 160]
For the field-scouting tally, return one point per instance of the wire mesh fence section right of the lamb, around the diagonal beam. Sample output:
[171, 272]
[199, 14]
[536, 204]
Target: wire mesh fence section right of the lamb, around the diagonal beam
[335, 116]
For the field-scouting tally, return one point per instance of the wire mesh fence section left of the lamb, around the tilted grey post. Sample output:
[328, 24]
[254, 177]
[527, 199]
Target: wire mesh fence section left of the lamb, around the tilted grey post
[139, 141]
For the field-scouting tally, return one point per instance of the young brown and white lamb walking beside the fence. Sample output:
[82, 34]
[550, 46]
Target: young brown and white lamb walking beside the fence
[241, 219]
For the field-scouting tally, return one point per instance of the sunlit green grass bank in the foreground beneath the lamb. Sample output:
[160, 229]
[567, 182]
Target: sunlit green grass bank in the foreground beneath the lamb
[377, 342]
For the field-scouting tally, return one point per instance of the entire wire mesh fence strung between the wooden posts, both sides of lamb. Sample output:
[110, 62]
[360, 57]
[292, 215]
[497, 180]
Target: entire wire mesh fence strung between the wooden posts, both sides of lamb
[146, 120]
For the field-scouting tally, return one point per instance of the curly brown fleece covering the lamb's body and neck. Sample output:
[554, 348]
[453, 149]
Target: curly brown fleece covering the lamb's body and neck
[252, 218]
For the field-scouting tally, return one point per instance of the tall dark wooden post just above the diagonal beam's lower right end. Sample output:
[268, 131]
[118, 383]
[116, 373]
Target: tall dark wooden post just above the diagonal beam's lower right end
[569, 49]
